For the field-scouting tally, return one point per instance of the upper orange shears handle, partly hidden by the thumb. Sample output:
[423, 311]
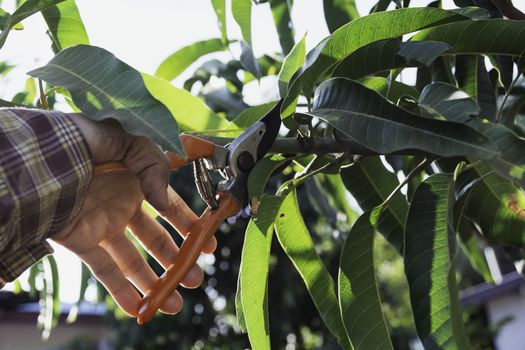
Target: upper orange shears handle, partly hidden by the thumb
[194, 146]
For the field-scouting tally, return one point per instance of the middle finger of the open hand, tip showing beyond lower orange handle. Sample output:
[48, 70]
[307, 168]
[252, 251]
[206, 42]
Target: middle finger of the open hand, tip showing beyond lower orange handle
[158, 242]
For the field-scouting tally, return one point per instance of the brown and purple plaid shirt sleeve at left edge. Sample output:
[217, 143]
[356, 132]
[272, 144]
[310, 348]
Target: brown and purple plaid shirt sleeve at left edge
[45, 169]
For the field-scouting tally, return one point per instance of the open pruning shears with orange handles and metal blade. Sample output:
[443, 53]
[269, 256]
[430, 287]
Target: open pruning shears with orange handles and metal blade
[234, 162]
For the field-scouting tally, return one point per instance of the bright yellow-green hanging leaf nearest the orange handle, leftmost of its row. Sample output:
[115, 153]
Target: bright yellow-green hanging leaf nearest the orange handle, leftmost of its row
[254, 273]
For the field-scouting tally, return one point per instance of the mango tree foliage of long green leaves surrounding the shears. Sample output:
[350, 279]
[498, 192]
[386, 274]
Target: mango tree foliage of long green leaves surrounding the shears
[425, 162]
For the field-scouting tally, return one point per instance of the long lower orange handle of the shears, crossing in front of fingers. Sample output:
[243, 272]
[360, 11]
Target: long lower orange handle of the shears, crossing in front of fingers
[198, 235]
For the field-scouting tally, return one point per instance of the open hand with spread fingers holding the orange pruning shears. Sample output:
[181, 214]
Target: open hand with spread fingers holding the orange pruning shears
[113, 202]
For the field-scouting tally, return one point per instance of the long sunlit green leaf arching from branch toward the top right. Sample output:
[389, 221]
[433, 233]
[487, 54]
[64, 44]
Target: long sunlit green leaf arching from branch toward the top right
[358, 33]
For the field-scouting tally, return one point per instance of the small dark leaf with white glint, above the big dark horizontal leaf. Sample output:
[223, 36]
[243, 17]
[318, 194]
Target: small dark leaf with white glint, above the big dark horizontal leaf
[442, 99]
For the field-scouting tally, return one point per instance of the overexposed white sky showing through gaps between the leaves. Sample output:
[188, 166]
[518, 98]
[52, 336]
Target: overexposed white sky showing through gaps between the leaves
[143, 35]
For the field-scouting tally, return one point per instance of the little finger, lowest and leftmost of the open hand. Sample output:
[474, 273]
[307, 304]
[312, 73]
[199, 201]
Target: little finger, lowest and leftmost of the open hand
[107, 272]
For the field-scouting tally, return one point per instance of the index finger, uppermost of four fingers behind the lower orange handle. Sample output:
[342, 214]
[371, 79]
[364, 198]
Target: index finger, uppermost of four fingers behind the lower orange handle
[181, 217]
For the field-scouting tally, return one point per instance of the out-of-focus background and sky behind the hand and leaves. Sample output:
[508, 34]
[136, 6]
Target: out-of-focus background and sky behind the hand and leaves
[143, 34]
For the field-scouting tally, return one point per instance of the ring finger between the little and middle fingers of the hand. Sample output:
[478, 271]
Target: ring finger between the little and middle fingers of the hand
[137, 270]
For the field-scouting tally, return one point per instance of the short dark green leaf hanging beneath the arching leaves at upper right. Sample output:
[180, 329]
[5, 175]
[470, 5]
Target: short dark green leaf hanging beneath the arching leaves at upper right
[473, 78]
